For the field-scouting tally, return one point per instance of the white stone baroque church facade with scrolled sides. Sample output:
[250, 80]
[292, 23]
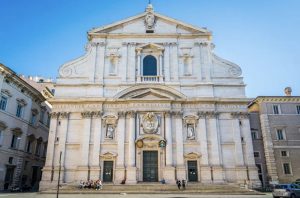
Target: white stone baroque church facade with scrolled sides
[150, 101]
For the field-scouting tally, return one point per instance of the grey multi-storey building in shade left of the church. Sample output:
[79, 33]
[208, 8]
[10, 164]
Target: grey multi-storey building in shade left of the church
[24, 122]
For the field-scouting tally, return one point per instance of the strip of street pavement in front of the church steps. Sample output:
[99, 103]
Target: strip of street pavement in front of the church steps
[36, 195]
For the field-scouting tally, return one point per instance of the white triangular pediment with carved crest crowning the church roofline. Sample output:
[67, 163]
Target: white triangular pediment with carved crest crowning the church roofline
[149, 22]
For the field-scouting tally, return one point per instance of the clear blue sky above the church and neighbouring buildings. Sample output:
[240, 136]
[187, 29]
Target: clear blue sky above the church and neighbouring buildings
[262, 36]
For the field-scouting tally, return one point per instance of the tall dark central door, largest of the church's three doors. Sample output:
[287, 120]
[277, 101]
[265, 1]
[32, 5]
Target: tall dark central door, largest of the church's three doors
[150, 166]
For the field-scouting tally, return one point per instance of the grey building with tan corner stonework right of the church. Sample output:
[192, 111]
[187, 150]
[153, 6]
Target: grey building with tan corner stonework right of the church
[275, 129]
